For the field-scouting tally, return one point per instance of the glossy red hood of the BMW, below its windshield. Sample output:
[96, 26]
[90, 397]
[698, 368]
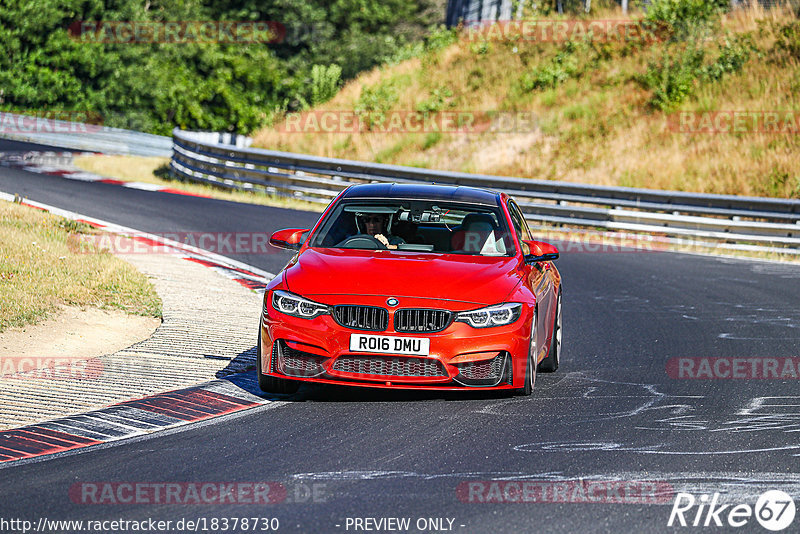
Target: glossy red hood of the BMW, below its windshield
[471, 279]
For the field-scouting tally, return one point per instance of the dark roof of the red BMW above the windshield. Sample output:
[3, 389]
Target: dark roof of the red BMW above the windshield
[452, 193]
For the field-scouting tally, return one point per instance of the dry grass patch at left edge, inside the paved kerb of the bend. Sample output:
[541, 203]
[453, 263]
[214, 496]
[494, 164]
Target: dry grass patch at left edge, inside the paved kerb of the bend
[41, 269]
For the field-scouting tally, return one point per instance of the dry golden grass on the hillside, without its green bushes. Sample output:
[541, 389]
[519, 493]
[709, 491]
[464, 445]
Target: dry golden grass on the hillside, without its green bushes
[594, 128]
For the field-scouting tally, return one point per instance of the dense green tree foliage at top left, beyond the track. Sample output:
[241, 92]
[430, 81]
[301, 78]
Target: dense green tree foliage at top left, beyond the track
[152, 86]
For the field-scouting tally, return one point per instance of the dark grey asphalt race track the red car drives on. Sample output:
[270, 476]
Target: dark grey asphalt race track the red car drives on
[610, 413]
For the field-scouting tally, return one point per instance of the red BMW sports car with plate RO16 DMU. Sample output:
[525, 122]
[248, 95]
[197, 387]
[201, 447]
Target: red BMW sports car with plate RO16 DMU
[412, 287]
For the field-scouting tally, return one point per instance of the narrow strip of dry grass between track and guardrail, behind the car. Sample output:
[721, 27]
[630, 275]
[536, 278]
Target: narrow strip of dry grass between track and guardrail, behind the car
[152, 170]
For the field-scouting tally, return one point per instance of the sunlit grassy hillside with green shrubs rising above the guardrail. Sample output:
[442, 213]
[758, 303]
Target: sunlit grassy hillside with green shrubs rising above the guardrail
[601, 111]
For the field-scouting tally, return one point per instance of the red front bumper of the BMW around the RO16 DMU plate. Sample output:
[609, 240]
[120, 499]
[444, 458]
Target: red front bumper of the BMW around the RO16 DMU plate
[460, 356]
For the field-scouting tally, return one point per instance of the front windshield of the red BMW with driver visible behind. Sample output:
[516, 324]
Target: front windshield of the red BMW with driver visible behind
[416, 226]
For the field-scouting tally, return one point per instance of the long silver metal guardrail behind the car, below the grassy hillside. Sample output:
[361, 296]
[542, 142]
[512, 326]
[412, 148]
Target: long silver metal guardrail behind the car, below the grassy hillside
[742, 222]
